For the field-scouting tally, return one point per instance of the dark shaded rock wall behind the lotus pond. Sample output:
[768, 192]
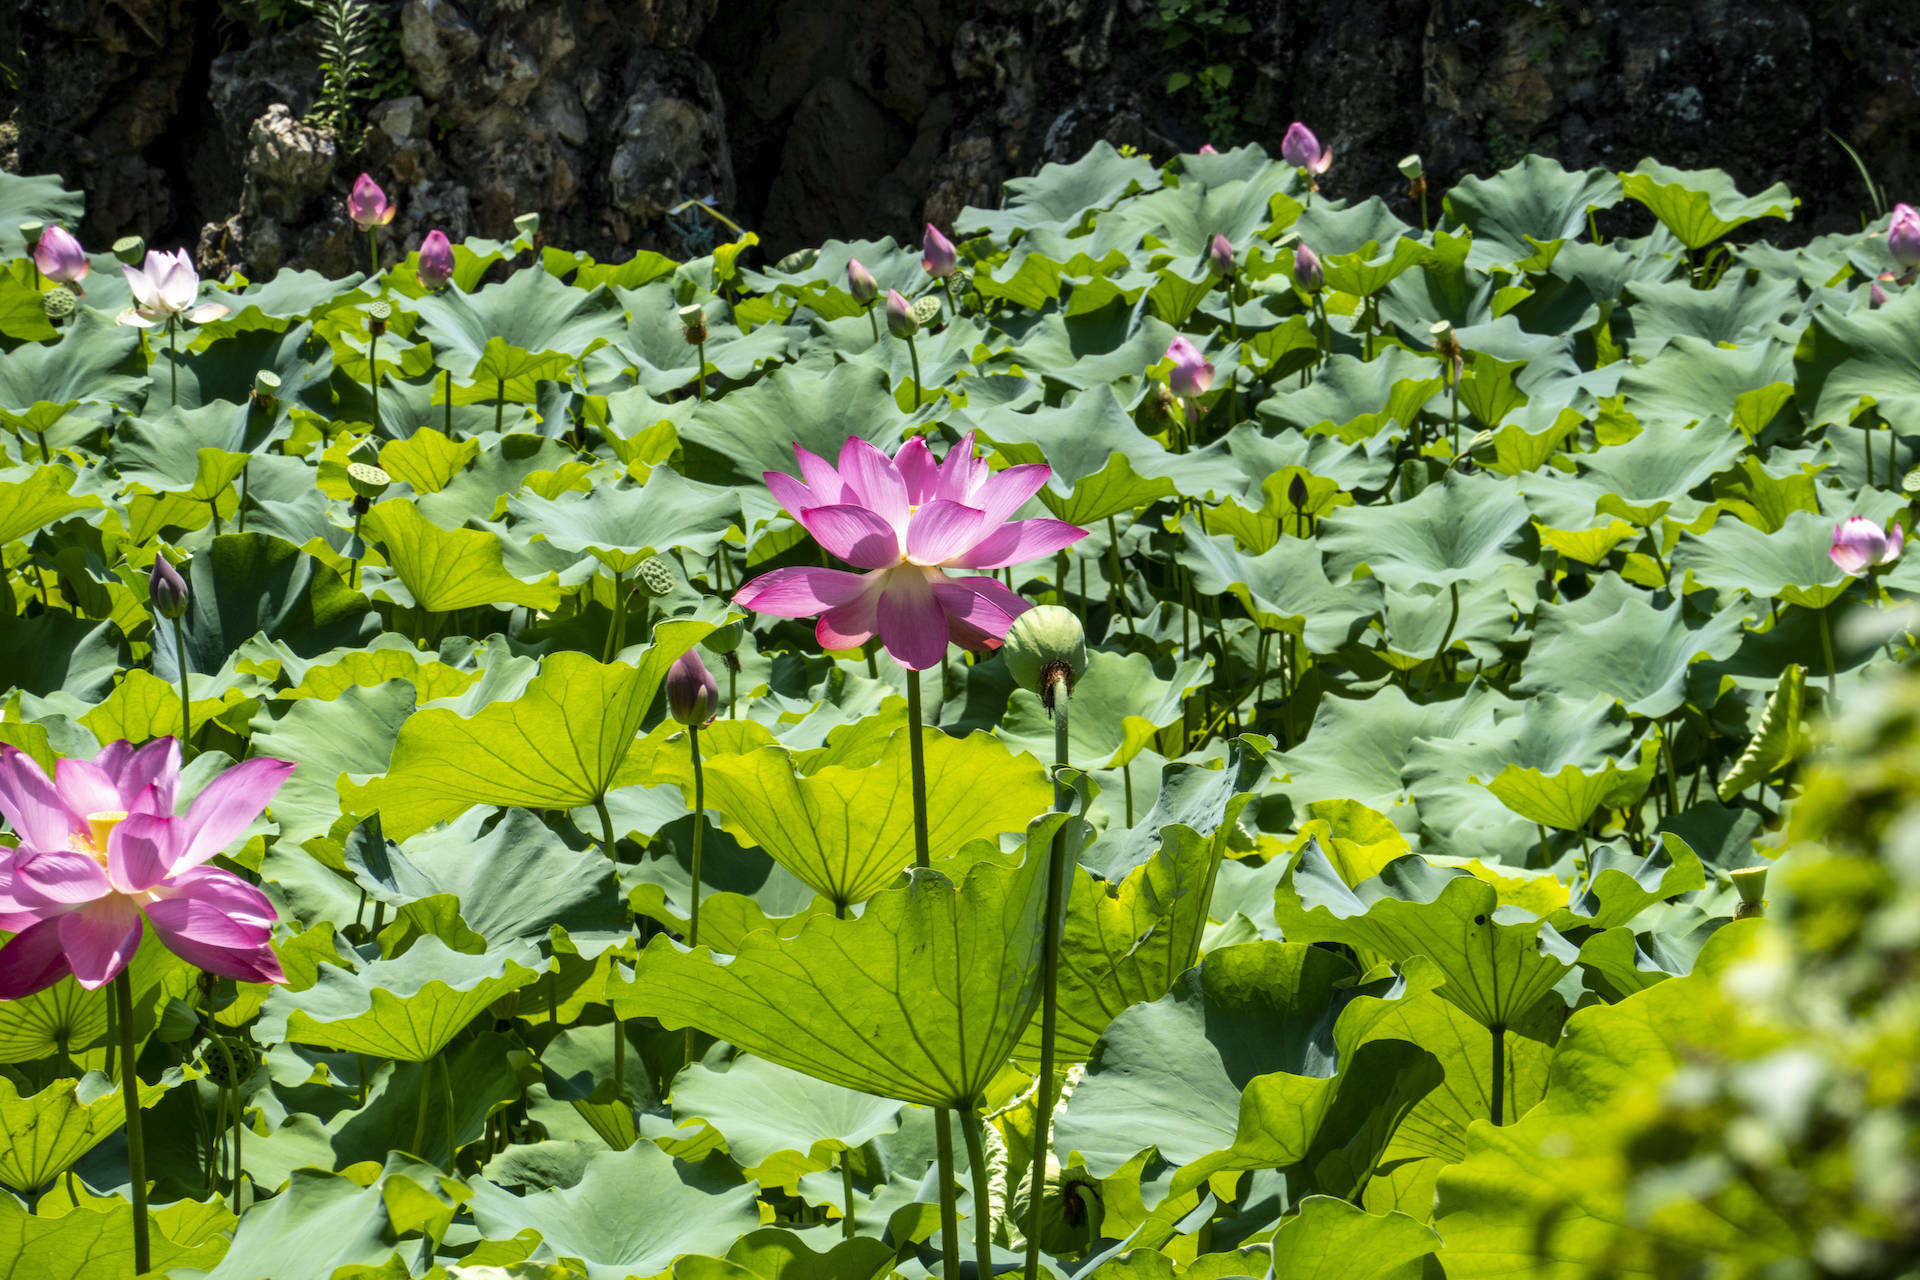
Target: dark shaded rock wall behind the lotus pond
[183, 120]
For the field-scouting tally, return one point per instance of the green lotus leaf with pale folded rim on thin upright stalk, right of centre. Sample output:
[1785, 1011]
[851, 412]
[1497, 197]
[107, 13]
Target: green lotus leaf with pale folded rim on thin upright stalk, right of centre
[1499, 962]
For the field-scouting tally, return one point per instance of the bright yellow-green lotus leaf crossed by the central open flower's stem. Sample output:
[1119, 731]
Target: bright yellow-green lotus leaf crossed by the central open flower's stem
[848, 830]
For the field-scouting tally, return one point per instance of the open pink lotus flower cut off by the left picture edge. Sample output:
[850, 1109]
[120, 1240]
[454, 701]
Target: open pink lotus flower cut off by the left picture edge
[103, 853]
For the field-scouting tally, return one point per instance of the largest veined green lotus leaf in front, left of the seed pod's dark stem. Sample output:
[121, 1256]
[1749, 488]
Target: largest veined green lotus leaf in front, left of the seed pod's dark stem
[921, 997]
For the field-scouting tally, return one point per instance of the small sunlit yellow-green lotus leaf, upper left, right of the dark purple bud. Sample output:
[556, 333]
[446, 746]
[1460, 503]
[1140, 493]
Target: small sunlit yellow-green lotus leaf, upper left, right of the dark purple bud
[444, 571]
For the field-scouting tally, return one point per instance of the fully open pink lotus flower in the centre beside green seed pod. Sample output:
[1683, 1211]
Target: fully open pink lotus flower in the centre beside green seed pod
[905, 521]
